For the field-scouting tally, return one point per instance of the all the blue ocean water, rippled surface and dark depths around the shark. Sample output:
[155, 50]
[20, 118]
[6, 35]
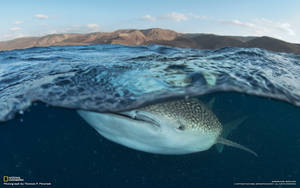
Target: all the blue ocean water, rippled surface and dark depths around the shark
[43, 139]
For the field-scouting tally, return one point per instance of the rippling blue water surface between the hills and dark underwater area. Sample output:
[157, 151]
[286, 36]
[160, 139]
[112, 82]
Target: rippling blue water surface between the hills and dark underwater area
[112, 78]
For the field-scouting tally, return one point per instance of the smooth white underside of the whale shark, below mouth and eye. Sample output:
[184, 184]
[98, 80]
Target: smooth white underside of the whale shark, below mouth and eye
[144, 136]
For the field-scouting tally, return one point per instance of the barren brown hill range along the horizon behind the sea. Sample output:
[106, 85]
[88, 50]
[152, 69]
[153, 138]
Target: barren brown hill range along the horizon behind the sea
[153, 36]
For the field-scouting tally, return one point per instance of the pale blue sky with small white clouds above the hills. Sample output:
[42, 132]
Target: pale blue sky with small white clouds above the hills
[274, 18]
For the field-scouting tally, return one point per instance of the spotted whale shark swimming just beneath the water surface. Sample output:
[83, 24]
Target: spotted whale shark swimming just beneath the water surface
[172, 127]
